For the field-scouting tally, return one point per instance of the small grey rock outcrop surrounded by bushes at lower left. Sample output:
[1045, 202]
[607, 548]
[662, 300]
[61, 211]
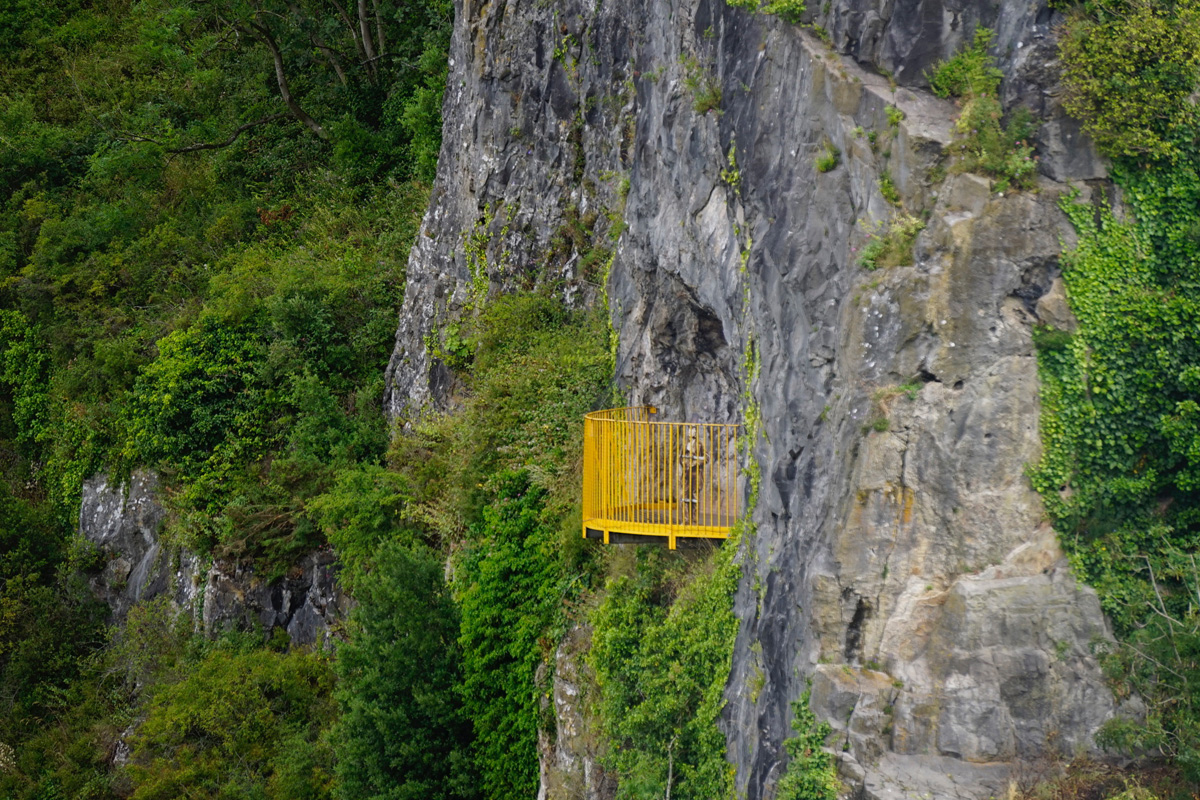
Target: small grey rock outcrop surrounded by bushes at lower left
[124, 522]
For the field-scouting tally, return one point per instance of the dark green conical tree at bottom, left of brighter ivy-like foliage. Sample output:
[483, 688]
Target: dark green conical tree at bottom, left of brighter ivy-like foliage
[403, 733]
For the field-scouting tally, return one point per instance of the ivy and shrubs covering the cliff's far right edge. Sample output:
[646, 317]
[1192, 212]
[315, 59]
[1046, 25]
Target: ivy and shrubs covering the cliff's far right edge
[1121, 429]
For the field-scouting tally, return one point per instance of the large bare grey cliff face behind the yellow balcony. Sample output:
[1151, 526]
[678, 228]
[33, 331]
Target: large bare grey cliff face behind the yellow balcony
[902, 561]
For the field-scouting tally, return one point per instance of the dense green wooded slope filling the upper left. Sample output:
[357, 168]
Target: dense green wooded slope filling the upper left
[262, 270]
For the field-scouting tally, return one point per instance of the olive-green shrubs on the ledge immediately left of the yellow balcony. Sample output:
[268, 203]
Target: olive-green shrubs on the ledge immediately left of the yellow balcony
[538, 370]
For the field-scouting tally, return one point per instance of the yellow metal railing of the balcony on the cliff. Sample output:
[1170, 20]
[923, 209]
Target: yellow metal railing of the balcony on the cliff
[644, 478]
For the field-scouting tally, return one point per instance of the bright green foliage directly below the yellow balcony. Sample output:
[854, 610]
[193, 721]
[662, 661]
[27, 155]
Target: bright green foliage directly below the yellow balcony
[663, 645]
